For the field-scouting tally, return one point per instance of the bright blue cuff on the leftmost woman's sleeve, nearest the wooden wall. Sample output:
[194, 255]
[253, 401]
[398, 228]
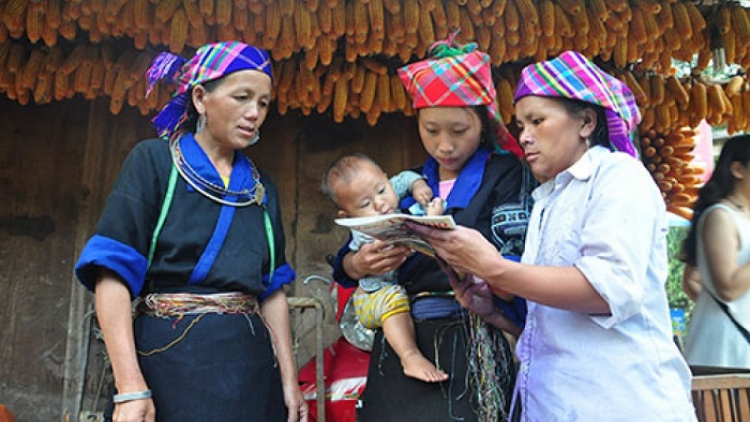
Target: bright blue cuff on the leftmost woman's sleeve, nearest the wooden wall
[126, 261]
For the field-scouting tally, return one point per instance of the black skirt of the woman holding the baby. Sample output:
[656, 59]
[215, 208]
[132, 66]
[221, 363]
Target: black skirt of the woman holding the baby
[392, 396]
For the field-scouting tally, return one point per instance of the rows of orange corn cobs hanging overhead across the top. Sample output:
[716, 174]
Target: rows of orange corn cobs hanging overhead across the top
[371, 38]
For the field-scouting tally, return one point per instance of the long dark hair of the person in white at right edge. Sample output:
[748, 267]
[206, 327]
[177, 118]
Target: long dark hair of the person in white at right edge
[718, 187]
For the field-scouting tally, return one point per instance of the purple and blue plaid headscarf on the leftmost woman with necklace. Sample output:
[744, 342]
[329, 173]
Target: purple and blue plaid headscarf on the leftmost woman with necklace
[212, 61]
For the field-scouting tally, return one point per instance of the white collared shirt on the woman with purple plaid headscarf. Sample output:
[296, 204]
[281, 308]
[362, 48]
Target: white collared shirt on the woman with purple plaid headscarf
[605, 216]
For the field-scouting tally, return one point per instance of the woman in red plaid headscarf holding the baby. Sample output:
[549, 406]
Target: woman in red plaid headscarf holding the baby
[473, 167]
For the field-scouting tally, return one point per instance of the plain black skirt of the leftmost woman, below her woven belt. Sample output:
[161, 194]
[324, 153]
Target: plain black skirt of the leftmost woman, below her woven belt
[210, 367]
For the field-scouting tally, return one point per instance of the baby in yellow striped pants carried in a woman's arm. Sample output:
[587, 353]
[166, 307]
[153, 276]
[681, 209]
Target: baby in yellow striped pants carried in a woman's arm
[359, 188]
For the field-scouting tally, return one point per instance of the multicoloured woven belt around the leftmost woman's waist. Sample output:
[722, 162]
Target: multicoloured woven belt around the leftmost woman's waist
[178, 304]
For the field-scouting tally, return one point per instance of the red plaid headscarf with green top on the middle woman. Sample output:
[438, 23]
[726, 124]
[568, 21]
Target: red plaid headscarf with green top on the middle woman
[462, 80]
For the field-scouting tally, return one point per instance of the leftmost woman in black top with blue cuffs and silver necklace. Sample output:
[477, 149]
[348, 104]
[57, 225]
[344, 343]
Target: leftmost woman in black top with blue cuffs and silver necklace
[192, 236]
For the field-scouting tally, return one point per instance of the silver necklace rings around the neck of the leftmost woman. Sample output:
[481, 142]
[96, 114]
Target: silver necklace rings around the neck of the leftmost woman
[212, 191]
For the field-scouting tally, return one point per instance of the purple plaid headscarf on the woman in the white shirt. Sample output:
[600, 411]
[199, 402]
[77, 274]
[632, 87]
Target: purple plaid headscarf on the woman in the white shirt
[573, 76]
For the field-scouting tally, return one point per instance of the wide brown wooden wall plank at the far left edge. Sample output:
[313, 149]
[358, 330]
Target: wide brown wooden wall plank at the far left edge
[39, 168]
